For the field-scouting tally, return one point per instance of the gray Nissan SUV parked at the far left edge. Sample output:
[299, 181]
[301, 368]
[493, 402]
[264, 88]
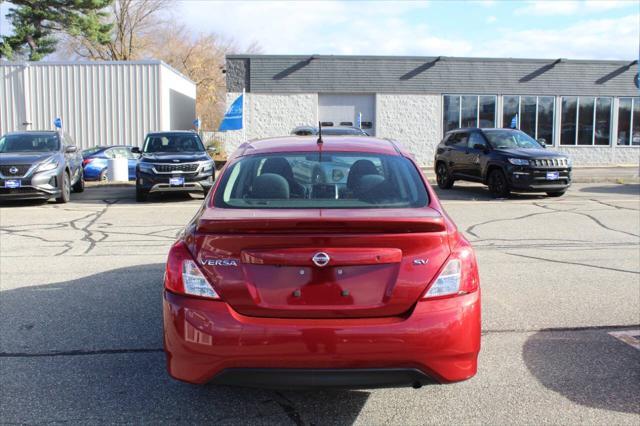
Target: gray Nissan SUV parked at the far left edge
[39, 165]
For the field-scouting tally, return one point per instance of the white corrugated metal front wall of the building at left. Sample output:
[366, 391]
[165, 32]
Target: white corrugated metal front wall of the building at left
[99, 103]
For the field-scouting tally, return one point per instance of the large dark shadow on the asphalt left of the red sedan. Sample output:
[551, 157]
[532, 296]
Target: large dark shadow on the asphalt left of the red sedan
[93, 346]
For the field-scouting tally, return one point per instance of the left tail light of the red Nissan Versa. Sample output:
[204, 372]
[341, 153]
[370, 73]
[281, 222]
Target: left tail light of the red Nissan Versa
[183, 276]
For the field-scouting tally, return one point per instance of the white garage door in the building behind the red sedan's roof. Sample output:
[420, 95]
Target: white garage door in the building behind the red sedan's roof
[343, 110]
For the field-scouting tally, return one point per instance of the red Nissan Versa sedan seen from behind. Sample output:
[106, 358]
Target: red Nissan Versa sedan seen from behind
[321, 264]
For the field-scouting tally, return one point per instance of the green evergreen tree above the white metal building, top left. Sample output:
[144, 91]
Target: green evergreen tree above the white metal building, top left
[36, 24]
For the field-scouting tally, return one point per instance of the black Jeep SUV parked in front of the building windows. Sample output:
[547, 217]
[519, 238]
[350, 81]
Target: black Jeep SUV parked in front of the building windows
[504, 159]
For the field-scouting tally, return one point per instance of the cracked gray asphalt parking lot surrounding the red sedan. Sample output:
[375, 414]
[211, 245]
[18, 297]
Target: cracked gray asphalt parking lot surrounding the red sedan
[80, 328]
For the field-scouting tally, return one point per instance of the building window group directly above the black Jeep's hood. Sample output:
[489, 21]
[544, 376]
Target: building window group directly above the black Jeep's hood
[531, 114]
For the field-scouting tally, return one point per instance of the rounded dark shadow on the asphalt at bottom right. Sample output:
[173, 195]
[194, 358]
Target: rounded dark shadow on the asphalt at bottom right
[589, 367]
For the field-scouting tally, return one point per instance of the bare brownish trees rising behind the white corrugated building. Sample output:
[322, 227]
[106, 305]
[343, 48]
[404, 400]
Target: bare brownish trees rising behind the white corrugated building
[144, 29]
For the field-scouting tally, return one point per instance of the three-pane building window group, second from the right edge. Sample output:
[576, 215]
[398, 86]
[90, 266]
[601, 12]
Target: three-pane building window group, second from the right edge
[585, 121]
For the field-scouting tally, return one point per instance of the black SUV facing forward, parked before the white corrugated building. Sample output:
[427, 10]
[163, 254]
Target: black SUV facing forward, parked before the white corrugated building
[173, 162]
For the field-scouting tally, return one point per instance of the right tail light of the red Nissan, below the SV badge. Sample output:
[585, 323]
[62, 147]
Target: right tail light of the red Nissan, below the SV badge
[459, 275]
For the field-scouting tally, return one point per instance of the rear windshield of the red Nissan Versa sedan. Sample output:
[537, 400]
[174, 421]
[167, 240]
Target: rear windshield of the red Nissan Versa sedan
[328, 180]
